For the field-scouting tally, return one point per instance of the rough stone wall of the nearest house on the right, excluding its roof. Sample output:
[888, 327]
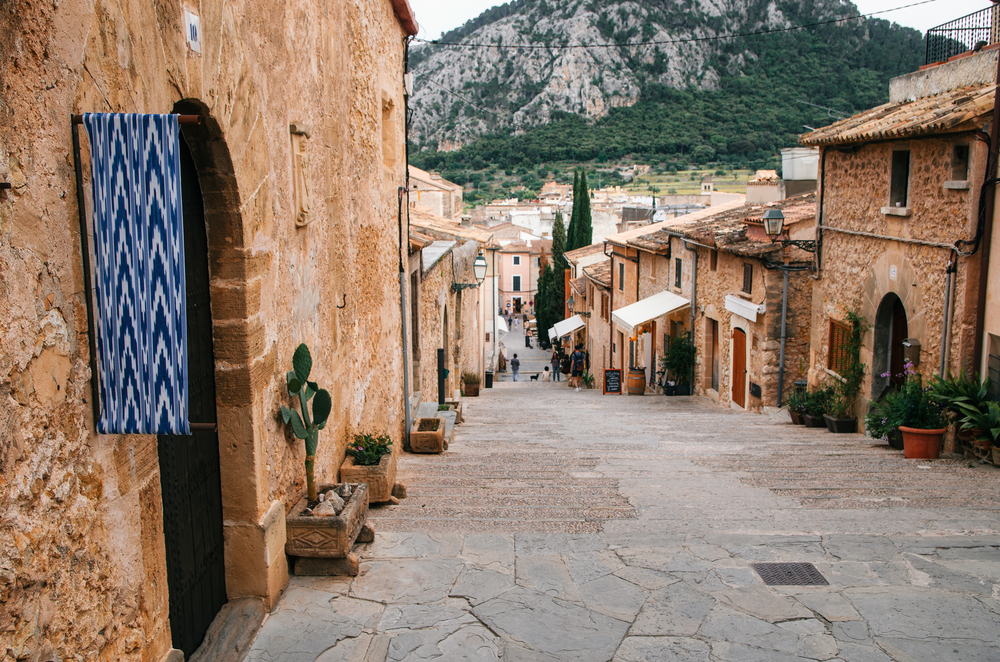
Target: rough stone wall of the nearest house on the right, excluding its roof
[858, 272]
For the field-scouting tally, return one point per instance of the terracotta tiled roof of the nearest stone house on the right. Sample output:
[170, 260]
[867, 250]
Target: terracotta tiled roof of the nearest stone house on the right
[957, 110]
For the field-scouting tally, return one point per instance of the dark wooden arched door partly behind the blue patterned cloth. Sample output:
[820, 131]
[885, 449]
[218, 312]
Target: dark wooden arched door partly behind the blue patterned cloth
[190, 478]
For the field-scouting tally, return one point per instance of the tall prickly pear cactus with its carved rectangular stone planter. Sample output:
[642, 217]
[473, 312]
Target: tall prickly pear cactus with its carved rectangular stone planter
[328, 532]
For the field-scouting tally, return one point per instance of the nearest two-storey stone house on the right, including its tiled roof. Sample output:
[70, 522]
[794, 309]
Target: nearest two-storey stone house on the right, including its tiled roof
[900, 187]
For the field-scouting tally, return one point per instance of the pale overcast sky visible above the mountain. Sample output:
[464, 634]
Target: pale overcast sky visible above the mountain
[437, 16]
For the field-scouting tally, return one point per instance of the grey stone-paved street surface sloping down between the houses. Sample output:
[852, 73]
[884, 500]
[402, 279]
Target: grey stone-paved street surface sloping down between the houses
[592, 527]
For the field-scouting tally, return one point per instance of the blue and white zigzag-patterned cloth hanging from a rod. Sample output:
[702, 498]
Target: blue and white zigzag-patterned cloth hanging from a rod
[139, 278]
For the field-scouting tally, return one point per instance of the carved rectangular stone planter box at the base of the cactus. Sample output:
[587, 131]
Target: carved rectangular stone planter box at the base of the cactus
[326, 537]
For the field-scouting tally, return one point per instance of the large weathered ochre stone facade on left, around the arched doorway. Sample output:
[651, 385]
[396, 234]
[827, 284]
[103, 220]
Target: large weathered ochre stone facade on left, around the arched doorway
[85, 571]
